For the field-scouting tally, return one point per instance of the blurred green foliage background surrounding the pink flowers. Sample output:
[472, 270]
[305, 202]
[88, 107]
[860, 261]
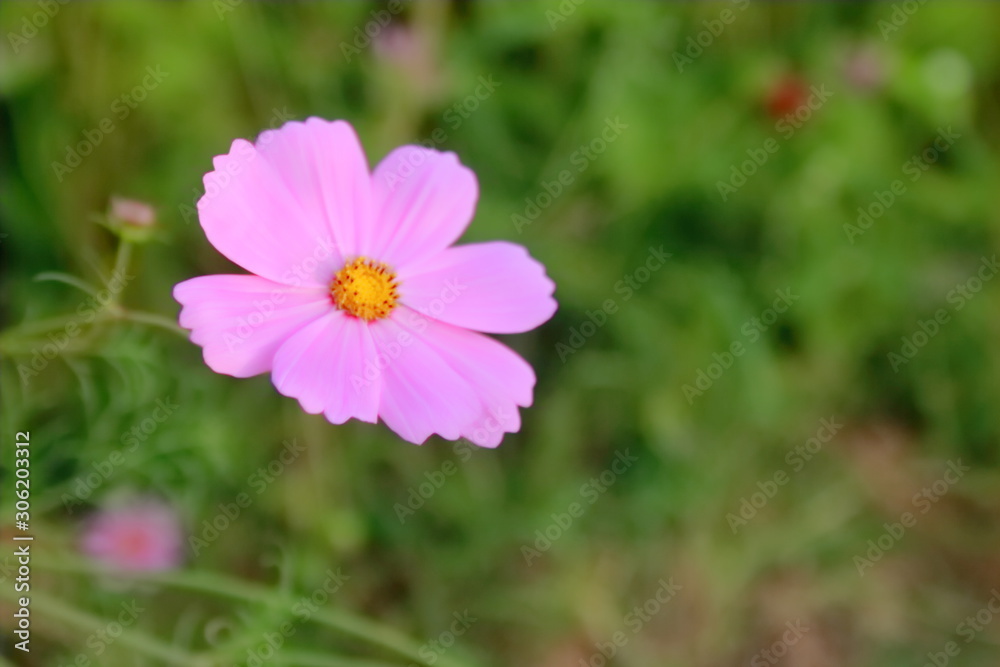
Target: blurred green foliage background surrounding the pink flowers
[695, 90]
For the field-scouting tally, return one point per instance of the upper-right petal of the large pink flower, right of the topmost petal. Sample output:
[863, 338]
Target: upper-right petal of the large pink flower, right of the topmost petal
[424, 200]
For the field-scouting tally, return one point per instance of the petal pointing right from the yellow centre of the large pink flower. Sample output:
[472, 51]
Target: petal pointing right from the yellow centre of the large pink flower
[492, 287]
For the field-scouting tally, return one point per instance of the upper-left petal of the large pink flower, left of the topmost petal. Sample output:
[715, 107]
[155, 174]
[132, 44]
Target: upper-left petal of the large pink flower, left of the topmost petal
[251, 217]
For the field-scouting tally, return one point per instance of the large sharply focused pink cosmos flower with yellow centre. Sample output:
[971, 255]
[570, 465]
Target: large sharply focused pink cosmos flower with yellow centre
[359, 306]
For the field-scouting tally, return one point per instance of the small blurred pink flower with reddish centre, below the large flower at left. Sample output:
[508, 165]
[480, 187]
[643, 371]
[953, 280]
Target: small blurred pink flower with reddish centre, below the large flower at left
[142, 537]
